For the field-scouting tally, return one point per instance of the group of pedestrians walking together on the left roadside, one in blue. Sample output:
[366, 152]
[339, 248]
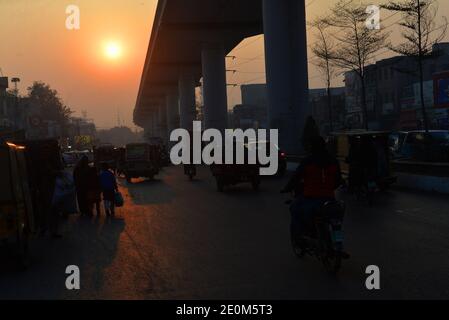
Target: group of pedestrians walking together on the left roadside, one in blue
[91, 184]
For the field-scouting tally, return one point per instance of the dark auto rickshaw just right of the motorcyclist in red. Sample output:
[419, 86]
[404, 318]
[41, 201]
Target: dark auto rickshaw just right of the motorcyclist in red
[368, 150]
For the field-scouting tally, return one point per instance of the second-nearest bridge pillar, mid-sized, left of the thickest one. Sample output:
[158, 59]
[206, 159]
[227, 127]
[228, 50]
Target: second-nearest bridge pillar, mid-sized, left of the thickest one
[214, 87]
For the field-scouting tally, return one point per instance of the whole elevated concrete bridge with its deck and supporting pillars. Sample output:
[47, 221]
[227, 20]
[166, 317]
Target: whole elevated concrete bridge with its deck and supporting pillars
[190, 40]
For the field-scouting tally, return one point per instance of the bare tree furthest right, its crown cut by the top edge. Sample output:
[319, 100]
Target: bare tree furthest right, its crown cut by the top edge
[421, 33]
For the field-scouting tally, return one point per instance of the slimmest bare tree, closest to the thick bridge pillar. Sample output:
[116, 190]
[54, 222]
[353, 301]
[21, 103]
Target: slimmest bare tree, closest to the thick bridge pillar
[323, 50]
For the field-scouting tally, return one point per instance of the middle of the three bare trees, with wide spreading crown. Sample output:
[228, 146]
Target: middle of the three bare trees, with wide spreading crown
[356, 43]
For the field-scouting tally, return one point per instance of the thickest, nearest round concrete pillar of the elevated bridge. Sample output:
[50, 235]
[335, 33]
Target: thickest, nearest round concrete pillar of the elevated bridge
[286, 68]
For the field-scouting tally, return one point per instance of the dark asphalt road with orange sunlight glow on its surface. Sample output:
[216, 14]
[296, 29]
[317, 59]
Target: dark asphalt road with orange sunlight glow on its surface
[177, 239]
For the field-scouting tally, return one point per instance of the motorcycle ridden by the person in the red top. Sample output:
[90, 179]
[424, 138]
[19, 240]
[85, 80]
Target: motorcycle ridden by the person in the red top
[324, 236]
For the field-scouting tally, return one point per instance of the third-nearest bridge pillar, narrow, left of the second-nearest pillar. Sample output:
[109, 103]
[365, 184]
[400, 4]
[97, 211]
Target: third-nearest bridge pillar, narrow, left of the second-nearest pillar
[187, 112]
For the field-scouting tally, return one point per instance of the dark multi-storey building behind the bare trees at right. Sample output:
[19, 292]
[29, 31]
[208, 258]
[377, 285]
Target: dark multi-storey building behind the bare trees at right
[392, 87]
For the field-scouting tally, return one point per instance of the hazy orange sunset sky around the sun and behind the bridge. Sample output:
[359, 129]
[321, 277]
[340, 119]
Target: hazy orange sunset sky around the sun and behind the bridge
[35, 45]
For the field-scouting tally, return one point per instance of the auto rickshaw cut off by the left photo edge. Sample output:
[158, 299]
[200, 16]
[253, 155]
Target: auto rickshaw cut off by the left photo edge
[16, 209]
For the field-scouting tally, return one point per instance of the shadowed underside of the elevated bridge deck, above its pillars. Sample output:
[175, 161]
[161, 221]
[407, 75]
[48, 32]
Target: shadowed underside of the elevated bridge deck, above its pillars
[180, 30]
